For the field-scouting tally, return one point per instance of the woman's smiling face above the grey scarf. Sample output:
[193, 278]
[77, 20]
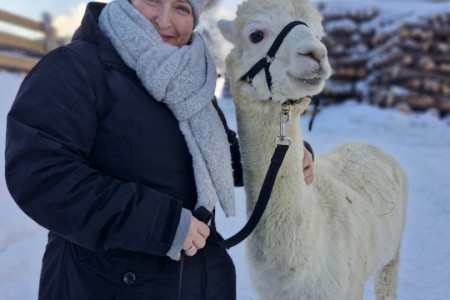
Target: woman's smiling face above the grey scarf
[173, 19]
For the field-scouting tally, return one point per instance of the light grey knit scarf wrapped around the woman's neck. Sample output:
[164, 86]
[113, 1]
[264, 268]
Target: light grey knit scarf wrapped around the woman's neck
[184, 79]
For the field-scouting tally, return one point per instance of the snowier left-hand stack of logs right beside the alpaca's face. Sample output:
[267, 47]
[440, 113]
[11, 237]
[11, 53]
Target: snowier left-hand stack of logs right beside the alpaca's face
[349, 43]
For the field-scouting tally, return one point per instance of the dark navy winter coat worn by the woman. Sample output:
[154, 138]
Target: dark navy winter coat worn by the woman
[92, 157]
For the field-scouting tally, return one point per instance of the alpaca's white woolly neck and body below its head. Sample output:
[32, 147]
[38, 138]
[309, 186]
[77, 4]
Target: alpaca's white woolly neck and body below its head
[320, 241]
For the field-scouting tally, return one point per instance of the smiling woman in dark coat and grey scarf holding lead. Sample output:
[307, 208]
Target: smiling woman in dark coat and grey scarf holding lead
[112, 142]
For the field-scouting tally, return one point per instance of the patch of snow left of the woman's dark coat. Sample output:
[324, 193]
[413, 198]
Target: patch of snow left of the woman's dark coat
[22, 242]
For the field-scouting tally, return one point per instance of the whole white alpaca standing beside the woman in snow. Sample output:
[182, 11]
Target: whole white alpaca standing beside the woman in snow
[324, 240]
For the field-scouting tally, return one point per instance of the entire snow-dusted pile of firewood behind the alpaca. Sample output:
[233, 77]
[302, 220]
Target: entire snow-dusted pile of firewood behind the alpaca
[405, 63]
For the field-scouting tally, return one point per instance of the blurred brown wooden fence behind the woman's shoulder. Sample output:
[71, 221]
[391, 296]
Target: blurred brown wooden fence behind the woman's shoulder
[21, 53]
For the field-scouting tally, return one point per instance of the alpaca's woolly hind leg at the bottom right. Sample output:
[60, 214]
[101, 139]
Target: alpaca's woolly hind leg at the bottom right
[386, 281]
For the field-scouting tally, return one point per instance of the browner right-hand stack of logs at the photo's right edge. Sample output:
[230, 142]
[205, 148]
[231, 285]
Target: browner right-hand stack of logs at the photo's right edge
[412, 66]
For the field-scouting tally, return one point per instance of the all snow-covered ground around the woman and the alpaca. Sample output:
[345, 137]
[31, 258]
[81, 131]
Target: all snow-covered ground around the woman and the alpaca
[421, 143]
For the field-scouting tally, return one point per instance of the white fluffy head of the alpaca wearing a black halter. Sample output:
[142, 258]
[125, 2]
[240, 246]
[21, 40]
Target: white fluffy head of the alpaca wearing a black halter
[300, 66]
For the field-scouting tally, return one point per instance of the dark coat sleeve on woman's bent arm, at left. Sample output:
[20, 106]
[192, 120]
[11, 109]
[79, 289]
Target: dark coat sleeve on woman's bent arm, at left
[50, 130]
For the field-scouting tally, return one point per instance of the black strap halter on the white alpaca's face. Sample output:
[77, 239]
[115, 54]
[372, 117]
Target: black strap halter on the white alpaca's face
[264, 63]
